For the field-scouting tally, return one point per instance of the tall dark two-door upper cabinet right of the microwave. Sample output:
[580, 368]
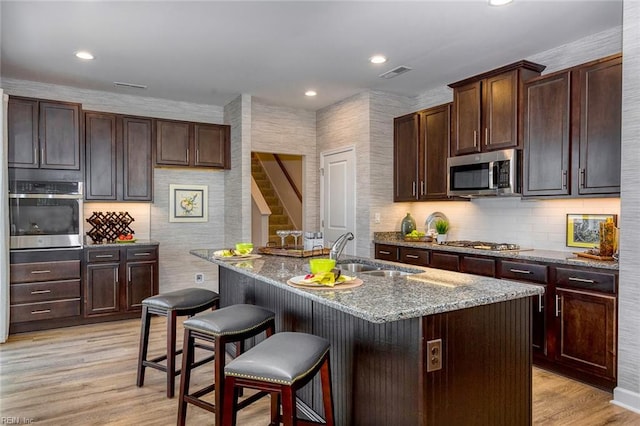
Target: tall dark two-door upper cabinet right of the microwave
[572, 131]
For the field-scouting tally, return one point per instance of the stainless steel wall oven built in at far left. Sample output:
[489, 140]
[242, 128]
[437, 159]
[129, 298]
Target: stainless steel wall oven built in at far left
[45, 214]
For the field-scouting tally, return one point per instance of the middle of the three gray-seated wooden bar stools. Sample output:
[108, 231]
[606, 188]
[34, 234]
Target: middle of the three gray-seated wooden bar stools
[231, 324]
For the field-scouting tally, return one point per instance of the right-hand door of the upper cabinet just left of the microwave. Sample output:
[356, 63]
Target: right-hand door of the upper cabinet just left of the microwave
[435, 131]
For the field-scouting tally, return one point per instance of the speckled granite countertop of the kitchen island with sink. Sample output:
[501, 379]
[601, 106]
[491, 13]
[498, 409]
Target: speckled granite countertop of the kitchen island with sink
[381, 299]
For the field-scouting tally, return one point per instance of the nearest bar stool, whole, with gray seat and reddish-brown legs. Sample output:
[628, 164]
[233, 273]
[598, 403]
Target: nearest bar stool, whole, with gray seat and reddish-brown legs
[280, 365]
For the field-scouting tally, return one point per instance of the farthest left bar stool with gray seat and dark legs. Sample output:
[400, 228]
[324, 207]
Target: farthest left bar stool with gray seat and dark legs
[186, 302]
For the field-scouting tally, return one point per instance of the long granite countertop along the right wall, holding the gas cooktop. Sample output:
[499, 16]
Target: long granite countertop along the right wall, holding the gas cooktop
[551, 256]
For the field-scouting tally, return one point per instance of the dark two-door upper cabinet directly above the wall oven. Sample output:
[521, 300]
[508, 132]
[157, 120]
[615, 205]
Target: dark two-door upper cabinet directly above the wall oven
[43, 134]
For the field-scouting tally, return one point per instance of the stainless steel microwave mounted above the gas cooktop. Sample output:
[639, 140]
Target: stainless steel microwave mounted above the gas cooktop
[495, 173]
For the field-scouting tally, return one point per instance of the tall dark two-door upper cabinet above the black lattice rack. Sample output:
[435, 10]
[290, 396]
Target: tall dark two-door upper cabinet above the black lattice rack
[118, 157]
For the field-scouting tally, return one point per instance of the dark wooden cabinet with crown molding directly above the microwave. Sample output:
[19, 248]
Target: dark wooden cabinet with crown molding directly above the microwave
[486, 108]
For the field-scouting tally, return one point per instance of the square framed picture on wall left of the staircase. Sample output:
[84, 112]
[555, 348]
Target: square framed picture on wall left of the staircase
[188, 203]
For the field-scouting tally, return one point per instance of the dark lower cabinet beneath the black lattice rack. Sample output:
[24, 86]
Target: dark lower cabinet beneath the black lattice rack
[118, 279]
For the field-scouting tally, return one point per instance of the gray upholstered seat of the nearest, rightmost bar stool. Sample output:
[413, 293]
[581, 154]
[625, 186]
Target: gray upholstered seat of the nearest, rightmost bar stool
[283, 358]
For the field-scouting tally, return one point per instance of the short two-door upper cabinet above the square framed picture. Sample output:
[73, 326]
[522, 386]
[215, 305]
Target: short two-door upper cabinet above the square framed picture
[186, 144]
